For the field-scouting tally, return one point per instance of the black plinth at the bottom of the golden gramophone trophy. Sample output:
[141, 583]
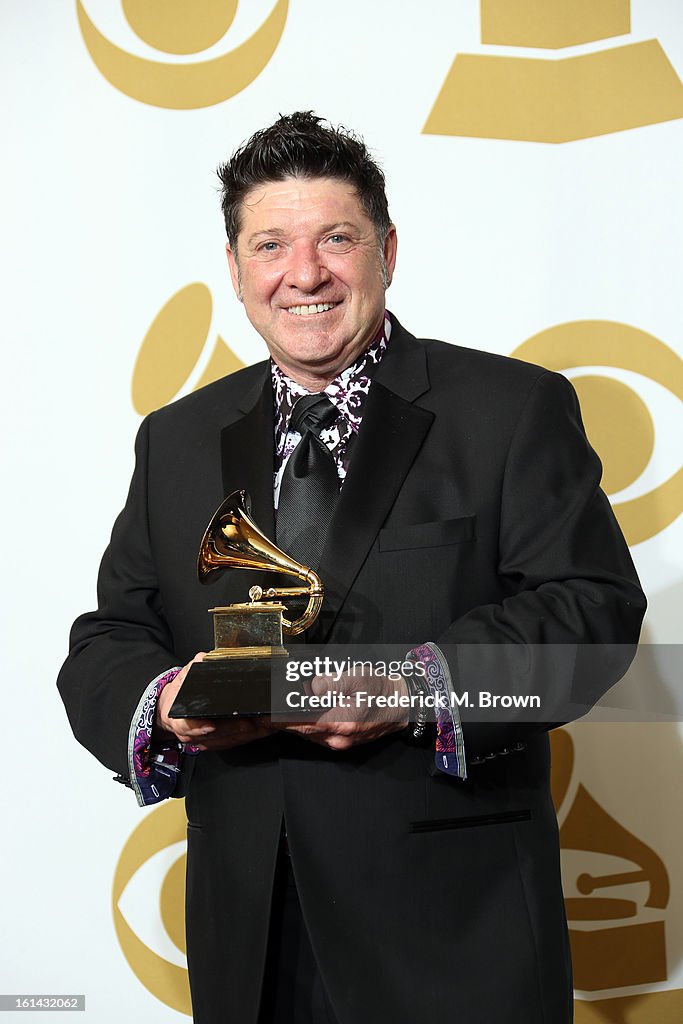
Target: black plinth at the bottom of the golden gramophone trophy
[226, 688]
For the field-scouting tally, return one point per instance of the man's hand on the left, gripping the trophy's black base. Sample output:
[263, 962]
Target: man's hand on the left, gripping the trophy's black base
[205, 734]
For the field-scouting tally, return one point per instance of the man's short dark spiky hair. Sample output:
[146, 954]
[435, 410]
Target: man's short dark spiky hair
[302, 145]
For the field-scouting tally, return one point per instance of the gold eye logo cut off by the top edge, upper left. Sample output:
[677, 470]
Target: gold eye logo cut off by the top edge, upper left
[181, 28]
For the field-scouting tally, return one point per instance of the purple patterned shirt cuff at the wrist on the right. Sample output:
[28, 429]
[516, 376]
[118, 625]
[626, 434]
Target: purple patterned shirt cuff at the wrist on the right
[450, 751]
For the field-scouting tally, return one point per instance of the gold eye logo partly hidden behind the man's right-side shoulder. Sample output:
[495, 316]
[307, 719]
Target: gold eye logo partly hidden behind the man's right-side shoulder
[618, 421]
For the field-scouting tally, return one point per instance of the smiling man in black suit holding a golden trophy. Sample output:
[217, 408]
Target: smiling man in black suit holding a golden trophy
[468, 526]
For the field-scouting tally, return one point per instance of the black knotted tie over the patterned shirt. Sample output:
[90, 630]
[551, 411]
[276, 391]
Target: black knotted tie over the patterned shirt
[310, 486]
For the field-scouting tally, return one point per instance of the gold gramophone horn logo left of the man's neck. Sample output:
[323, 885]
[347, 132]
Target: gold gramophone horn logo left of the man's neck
[173, 348]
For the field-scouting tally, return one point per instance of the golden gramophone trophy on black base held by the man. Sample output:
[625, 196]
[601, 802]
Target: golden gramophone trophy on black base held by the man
[235, 678]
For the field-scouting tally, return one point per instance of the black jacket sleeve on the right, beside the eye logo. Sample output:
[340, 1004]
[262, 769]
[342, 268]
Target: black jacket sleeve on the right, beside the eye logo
[569, 628]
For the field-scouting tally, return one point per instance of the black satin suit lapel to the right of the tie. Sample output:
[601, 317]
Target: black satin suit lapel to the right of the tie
[391, 437]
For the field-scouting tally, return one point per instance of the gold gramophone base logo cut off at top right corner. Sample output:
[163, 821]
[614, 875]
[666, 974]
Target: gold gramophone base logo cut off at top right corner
[557, 101]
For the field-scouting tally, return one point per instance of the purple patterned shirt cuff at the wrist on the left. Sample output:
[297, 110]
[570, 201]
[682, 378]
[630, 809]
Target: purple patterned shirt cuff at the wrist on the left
[154, 765]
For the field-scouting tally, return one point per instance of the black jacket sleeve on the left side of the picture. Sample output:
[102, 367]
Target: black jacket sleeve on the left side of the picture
[117, 651]
